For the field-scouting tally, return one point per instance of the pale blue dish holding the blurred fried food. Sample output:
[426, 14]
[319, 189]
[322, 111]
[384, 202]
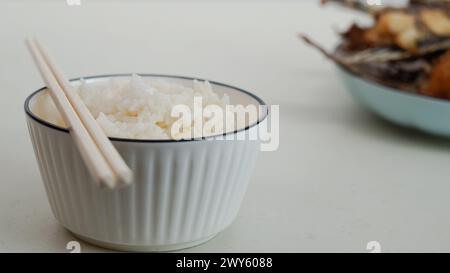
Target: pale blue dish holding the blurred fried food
[411, 110]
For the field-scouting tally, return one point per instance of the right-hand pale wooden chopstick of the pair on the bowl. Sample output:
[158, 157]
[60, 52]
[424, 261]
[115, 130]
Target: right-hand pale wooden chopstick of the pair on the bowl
[104, 144]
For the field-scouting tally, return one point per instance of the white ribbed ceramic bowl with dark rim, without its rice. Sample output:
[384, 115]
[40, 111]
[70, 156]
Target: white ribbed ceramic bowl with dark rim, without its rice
[184, 193]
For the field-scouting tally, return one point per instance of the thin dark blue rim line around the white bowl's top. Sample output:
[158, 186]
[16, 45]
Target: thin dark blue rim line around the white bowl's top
[117, 139]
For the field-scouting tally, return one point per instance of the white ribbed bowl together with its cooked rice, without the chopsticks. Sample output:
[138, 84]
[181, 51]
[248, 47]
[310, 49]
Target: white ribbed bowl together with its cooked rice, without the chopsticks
[188, 183]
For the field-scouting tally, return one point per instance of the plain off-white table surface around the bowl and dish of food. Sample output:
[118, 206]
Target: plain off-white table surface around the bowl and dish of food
[341, 176]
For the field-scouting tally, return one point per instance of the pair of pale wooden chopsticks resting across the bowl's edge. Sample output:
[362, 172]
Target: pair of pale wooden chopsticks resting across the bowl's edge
[101, 157]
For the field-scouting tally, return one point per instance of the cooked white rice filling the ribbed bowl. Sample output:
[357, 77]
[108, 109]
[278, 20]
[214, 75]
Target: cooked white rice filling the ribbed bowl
[139, 107]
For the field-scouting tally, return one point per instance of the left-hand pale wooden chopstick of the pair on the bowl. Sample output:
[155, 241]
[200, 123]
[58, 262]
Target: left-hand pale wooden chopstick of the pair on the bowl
[95, 160]
